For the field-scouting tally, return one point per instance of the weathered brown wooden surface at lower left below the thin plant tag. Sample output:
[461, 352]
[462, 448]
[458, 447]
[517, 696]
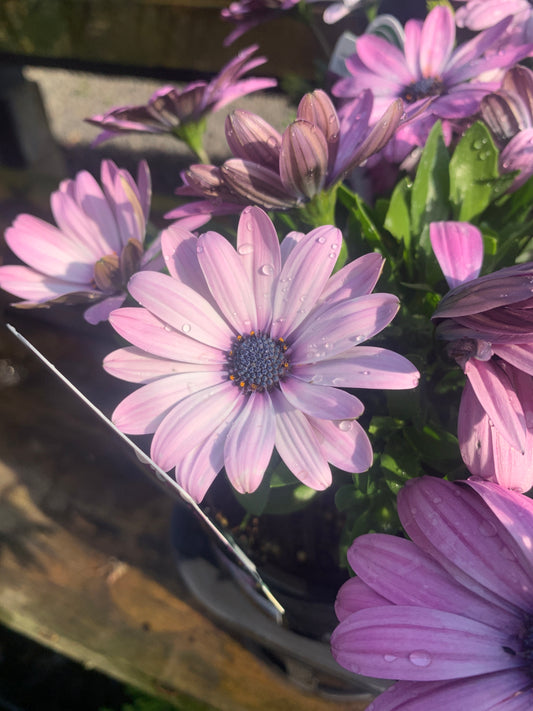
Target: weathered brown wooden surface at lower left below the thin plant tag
[85, 561]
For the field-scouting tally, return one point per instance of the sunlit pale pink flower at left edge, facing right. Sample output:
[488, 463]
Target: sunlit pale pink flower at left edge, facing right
[97, 245]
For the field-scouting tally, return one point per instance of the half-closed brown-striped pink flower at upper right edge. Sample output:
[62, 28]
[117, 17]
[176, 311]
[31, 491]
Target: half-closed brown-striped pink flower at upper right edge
[509, 115]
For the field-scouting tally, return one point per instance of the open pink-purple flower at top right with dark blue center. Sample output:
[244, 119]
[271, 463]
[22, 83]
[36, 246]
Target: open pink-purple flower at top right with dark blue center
[429, 67]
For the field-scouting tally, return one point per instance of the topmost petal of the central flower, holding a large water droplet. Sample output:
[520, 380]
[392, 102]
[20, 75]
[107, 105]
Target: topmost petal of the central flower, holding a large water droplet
[260, 254]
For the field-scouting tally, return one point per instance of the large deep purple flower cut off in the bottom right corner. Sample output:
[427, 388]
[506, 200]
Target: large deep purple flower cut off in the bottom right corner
[448, 613]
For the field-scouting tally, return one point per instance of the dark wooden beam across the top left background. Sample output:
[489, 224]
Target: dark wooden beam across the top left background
[152, 34]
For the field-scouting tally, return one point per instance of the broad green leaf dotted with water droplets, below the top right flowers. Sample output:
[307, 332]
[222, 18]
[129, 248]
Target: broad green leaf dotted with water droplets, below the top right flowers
[473, 170]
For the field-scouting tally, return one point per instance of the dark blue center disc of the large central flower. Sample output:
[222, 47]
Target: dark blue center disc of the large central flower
[257, 362]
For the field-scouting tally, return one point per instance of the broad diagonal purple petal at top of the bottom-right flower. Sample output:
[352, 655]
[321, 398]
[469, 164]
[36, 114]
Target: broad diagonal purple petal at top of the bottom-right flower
[447, 523]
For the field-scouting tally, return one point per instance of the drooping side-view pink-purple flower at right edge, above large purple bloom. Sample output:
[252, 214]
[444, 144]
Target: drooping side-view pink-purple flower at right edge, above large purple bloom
[488, 324]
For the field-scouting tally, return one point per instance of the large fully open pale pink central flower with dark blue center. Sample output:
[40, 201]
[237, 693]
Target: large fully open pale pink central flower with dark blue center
[242, 350]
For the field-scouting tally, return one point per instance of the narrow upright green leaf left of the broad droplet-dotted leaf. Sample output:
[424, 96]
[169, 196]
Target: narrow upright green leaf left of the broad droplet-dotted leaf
[431, 187]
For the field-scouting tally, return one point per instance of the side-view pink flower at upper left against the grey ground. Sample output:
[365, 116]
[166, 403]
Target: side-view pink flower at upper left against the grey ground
[169, 109]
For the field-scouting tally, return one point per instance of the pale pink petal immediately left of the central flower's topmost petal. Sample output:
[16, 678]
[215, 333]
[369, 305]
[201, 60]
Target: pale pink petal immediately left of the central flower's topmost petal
[227, 281]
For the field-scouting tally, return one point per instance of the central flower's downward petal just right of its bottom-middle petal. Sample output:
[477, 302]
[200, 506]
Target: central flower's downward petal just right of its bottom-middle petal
[298, 445]
